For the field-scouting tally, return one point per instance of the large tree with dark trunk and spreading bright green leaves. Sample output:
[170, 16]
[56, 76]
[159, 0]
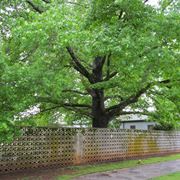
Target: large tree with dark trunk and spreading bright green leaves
[92, 60]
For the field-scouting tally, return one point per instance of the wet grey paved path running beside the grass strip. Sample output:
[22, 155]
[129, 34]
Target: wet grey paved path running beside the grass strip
[137, 173]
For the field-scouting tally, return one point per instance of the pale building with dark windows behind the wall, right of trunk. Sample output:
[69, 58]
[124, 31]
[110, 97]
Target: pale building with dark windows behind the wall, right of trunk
[136, 122]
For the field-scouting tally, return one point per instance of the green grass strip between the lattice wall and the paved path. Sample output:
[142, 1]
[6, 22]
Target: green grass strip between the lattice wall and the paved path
[83, 170]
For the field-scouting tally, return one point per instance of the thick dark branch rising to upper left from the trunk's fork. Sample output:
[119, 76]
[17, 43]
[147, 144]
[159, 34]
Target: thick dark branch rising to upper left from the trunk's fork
[78, 66]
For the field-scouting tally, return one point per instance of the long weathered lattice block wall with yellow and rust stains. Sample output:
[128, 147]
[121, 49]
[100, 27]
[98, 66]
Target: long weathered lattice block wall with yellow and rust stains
[62, 147]
